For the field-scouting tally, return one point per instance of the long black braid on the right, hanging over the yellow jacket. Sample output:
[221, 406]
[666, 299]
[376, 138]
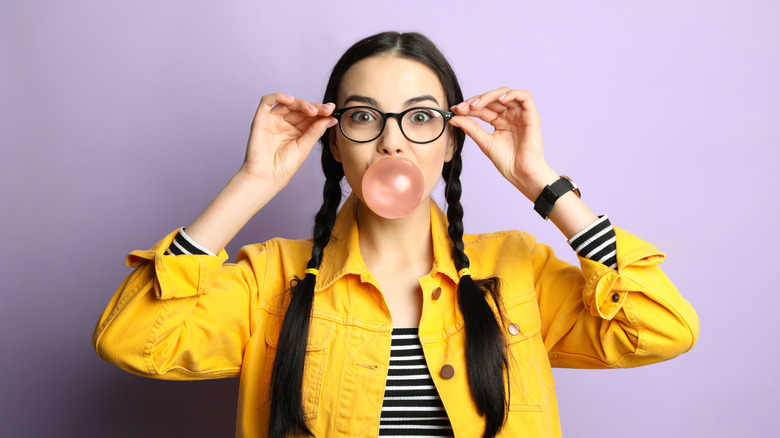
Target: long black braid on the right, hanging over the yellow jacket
[485, 344]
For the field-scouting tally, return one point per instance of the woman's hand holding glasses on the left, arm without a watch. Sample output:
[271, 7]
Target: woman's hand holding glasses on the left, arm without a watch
[284, 131]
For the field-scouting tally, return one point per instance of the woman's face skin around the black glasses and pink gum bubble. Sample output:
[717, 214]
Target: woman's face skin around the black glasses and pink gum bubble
[391, 84]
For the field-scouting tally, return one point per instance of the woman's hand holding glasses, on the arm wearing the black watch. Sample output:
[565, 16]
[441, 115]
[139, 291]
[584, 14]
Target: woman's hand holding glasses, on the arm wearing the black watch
[515, 146]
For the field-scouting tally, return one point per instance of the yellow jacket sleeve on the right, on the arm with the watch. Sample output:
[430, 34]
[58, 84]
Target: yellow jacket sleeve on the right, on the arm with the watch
[599, 317]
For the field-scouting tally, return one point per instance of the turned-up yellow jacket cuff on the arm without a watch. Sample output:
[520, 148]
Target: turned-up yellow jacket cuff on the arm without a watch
[178, 276]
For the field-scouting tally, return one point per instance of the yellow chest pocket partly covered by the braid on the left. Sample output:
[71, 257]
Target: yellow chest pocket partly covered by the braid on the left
[317, 351]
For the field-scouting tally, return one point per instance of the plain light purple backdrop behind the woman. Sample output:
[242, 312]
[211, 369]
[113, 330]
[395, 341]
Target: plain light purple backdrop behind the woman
[120, 122]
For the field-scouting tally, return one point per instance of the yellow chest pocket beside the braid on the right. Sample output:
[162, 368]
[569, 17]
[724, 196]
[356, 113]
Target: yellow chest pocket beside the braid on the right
[530, 375]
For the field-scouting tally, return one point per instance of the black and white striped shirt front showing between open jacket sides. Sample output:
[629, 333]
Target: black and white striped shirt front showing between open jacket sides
[411, 407]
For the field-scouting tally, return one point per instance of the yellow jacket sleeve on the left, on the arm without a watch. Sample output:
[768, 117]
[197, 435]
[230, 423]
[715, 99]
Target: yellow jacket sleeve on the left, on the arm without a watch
[182, 317]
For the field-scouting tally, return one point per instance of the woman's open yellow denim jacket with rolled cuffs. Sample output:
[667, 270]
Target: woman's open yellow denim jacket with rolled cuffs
[197, 317]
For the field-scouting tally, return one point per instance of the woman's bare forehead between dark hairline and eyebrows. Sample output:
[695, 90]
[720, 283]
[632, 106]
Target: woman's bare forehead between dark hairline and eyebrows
[390, 81]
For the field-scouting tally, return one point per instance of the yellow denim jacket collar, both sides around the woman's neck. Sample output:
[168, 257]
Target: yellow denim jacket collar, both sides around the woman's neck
[342, 255]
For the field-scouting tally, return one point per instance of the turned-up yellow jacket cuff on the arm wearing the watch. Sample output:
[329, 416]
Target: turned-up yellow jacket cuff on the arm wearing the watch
[605, 289]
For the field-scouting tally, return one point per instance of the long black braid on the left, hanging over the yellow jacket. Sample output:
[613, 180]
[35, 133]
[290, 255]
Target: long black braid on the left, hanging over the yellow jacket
[287, 414]
